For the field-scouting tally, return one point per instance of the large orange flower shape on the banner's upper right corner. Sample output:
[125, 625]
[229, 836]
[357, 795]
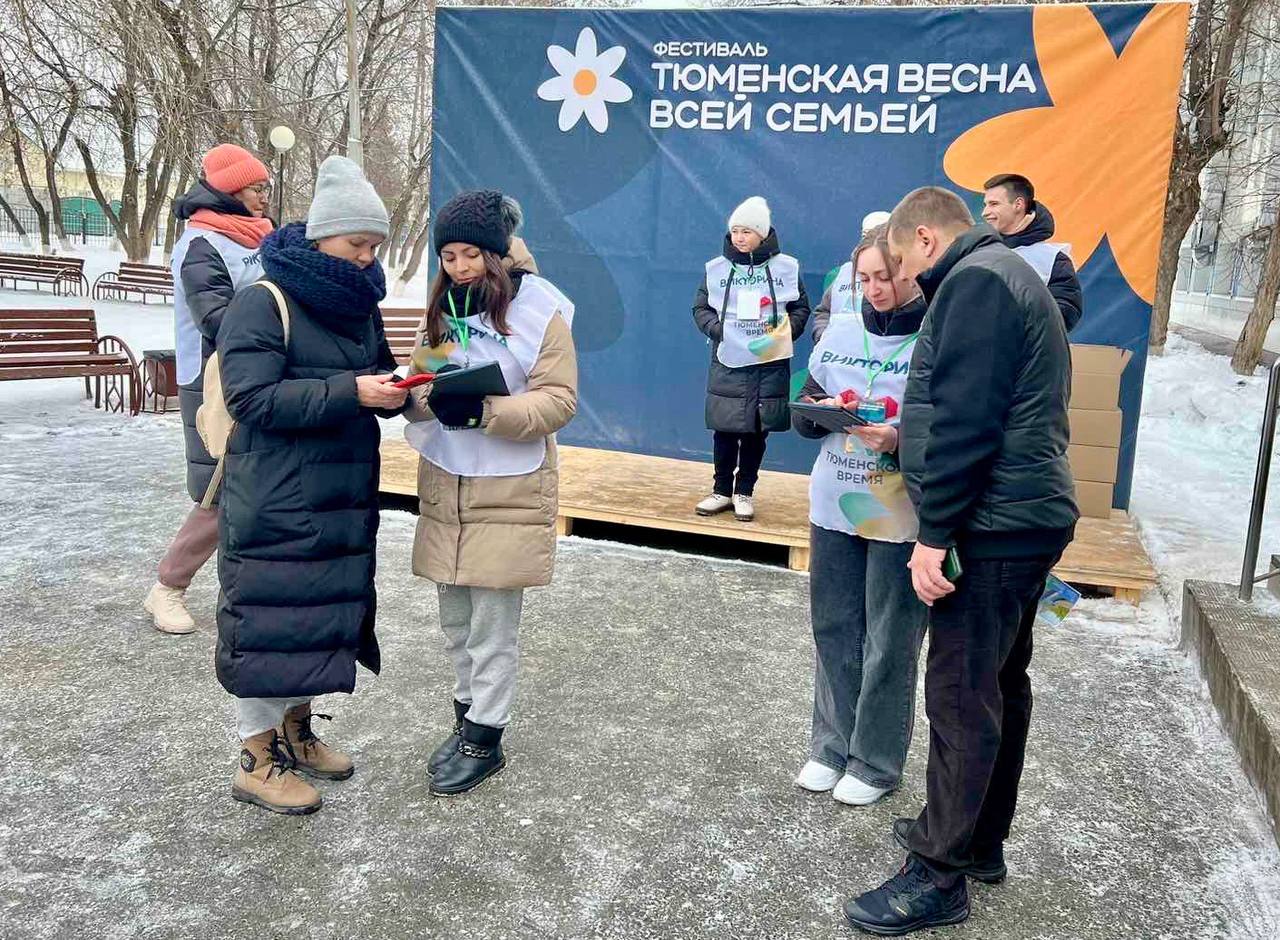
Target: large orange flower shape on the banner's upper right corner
[1099, 157]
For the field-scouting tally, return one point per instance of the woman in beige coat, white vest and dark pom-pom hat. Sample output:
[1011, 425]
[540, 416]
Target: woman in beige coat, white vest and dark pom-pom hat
[488, 476]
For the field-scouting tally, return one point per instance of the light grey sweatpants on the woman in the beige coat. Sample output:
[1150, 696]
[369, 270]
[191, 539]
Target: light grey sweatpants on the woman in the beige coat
[481, 628]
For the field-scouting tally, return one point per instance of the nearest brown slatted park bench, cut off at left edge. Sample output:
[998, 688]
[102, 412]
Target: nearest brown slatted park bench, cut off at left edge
[38, 344]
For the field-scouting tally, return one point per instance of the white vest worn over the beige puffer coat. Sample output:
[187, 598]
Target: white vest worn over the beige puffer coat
[472, 453]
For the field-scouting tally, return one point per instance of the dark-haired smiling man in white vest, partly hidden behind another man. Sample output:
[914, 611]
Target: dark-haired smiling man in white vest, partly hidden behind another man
[1027, 226]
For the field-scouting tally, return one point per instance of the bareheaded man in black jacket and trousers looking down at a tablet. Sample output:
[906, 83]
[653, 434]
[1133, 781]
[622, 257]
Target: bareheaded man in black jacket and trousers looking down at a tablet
[984, 451]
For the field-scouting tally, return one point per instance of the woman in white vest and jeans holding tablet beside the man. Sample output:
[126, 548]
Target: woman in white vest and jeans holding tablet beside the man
[867, 620]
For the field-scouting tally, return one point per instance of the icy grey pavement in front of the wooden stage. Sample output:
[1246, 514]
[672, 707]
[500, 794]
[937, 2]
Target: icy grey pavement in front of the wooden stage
[662, 713]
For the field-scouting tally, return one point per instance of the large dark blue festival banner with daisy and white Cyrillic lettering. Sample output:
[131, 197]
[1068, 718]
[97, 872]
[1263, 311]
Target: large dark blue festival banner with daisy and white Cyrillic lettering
[629, 136]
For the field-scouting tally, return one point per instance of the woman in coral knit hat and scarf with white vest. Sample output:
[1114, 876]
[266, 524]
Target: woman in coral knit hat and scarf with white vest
[217, 255]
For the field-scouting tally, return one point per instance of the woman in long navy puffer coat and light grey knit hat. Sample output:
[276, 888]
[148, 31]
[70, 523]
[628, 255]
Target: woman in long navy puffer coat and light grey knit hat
[299, 512]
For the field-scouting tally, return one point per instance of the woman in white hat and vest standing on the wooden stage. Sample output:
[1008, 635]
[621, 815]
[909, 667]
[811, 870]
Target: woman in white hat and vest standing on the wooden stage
[751, 305]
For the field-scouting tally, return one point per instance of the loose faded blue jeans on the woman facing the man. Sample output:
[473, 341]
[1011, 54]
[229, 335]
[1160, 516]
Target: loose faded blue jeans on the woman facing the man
[867, 627]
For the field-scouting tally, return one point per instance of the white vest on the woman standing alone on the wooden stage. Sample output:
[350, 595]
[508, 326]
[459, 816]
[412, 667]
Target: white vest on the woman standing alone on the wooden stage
[766, 337]
